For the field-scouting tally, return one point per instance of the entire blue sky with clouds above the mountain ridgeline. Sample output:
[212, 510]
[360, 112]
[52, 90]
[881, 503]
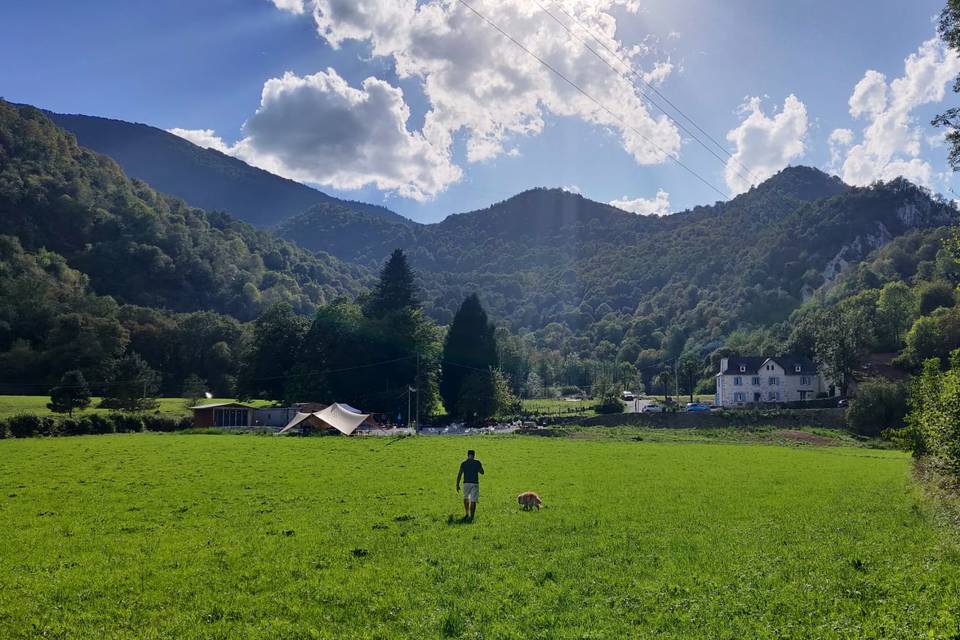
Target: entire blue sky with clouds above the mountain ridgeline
[202, 66]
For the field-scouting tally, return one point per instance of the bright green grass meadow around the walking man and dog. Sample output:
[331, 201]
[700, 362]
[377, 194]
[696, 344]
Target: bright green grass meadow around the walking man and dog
[177, 536]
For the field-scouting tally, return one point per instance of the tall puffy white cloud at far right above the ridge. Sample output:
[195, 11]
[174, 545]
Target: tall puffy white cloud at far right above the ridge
[891, 139]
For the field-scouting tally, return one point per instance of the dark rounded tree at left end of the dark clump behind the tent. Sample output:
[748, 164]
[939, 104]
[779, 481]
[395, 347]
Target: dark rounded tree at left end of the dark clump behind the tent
[277, 338]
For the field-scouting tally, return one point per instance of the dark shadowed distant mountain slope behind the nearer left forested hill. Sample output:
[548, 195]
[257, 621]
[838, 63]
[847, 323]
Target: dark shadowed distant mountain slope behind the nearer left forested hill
[204, 178]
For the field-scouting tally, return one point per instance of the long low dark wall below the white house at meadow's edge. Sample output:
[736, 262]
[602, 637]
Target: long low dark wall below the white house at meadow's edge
[787, 418]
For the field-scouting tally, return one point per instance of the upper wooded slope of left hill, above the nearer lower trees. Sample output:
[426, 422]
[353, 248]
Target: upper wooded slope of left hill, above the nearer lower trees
[142, 247]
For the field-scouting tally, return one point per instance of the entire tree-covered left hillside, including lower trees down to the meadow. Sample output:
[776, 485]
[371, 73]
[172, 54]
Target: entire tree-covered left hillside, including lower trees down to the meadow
[95, 267]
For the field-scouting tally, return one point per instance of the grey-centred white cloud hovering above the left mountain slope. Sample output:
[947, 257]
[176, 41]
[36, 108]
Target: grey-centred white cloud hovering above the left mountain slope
[319, 129]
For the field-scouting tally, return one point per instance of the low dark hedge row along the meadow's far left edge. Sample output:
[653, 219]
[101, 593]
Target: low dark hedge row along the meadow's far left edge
[28, 425]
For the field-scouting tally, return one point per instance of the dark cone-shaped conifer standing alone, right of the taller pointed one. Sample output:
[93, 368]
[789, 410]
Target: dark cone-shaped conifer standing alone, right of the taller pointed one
[470, 347]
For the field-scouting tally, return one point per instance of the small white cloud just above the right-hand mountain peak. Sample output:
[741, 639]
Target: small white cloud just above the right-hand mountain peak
[765, 144]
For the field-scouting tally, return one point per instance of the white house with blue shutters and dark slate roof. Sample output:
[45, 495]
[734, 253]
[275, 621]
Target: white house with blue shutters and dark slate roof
[759, 379]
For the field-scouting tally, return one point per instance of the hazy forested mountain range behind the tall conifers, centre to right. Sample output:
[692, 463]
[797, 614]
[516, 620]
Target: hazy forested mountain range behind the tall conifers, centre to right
[597, 282]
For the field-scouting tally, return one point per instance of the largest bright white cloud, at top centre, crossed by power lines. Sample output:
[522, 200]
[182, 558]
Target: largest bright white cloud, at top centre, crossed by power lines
[483, 87]
